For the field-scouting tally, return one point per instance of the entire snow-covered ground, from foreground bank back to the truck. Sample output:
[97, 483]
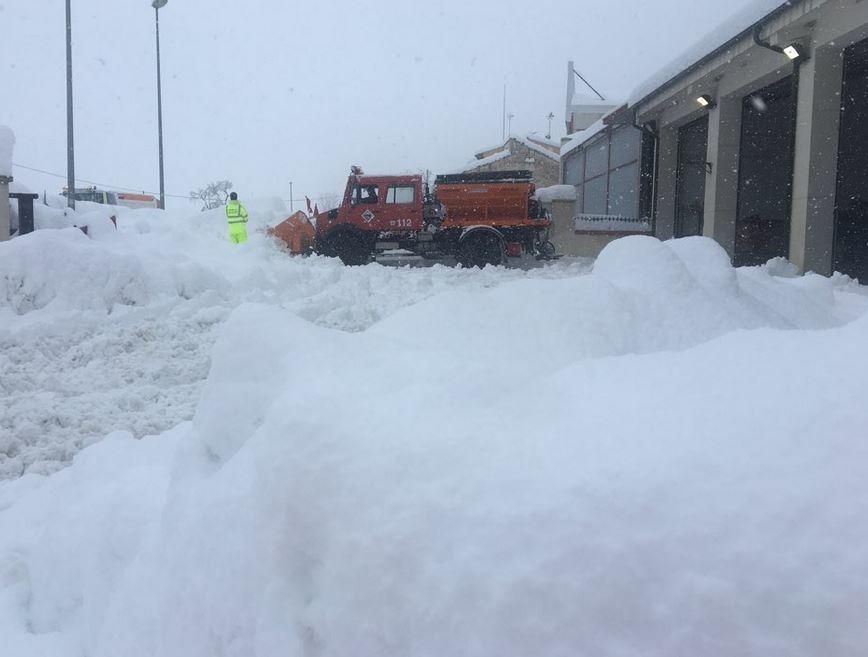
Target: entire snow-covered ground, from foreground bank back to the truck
[659, 456]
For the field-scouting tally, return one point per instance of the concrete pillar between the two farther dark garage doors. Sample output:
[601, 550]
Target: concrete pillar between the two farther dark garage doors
[721, 185]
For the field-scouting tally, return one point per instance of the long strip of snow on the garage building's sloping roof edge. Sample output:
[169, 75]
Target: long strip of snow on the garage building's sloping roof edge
[709, 44]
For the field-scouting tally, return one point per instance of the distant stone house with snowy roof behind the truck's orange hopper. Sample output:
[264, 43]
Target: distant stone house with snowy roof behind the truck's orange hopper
[536, 154]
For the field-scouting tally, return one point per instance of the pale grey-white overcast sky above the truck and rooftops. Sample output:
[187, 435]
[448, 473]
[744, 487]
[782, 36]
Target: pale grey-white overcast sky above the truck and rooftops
[266, 91]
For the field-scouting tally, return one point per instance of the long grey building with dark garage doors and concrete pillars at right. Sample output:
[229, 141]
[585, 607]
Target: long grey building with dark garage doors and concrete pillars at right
[757, 138]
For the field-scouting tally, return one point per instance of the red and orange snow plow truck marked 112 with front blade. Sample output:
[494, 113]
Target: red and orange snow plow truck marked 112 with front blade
[476, 218]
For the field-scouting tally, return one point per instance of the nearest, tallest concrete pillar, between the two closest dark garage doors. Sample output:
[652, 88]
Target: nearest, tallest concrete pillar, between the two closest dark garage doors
[815, 161]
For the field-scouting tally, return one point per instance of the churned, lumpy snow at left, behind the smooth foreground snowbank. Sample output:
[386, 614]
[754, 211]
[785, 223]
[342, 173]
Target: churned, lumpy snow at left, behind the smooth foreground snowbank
[115, 331]
